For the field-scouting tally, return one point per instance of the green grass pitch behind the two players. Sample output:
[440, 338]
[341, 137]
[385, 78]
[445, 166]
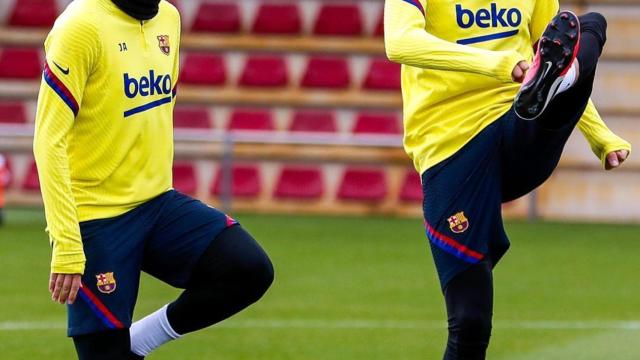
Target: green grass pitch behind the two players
[366, 288]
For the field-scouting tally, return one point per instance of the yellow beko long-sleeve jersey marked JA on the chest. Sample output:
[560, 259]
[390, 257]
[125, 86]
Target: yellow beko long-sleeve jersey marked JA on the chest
[104, 125]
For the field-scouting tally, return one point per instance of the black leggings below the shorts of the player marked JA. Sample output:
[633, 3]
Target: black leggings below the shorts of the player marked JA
[233, 273]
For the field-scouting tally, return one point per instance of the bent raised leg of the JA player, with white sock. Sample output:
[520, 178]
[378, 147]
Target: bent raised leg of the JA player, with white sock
[221, 267]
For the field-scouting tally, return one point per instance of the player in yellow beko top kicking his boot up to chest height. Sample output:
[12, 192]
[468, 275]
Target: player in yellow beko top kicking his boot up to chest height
[479, 138]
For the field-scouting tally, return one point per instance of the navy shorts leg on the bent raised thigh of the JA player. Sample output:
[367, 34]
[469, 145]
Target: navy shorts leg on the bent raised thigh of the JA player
[183, 231]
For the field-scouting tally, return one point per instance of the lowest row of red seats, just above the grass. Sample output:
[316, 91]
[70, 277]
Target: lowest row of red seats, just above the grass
[294, 182]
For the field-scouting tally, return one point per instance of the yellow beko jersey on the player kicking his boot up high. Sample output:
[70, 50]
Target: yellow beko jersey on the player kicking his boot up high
[456, 76]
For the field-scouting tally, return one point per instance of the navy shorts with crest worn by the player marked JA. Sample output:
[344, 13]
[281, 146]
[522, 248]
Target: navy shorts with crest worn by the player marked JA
[163, 237]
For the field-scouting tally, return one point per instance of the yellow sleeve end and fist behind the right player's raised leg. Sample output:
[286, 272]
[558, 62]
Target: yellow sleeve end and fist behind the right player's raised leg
[602, 140]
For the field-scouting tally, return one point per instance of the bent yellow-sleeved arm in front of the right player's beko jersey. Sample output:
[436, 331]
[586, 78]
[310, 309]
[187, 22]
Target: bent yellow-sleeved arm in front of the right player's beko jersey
[407, 42]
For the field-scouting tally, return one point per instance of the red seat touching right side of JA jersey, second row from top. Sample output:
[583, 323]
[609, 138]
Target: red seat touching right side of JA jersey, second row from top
[203, 69]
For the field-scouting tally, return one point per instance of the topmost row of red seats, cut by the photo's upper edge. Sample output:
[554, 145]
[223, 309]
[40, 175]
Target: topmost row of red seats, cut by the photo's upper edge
[273, 17]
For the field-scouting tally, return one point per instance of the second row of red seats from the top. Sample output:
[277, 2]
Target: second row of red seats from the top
[259, 71]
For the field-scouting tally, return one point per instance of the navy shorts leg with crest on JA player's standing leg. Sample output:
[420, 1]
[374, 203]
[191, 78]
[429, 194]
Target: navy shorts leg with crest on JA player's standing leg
[113, 249]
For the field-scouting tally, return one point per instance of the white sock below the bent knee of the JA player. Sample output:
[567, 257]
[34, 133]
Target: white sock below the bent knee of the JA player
[150, 332]
